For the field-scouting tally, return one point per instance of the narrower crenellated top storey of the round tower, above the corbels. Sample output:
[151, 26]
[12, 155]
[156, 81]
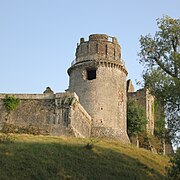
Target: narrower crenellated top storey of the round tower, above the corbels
[98, 47]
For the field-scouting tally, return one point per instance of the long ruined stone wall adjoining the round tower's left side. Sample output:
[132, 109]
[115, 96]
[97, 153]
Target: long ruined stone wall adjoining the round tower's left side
[48, 113]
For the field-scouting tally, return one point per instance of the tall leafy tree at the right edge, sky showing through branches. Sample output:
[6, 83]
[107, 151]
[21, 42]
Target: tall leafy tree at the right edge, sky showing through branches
[160, 55]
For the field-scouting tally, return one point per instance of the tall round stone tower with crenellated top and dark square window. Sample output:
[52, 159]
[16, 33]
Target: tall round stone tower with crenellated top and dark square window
[98, 76]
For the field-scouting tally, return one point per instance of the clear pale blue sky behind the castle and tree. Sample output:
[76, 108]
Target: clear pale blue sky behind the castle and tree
[38, 38]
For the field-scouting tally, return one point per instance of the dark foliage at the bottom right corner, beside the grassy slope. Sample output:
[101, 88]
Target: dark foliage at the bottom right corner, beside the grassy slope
[174, 170]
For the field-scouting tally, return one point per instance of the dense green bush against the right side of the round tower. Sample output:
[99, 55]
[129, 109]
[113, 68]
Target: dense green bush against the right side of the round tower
[136, 119]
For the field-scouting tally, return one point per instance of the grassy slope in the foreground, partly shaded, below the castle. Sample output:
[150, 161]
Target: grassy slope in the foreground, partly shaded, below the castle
[43, 157]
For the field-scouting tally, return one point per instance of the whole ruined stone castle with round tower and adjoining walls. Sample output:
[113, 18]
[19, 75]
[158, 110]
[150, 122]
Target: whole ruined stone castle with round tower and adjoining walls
[95, 103]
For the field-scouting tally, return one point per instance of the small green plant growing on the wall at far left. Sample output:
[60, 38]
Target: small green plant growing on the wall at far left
[11, 103]
